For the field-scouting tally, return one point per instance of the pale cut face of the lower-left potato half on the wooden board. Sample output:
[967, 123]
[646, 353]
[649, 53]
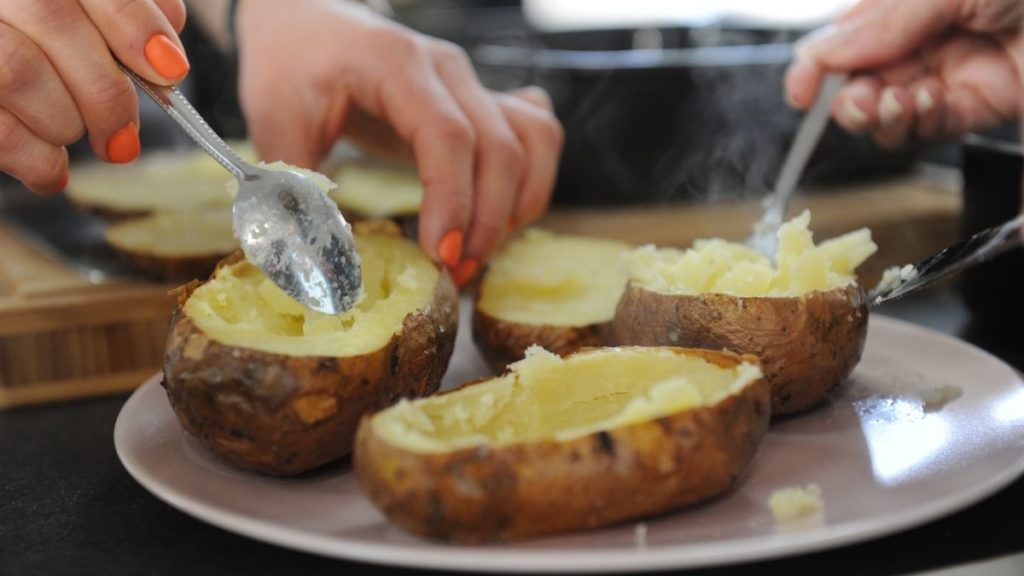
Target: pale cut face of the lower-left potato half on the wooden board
[176, 234]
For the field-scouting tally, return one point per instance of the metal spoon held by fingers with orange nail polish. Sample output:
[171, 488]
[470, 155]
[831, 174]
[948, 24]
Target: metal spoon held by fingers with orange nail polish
[287, 226]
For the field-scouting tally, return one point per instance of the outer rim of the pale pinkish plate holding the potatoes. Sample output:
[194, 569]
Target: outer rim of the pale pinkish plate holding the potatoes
[496, 559]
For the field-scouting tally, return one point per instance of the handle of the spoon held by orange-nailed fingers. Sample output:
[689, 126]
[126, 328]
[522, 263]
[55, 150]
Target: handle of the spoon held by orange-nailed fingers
[181, 110]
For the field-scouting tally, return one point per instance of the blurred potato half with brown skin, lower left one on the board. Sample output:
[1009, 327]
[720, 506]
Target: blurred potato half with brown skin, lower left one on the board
[176, 245]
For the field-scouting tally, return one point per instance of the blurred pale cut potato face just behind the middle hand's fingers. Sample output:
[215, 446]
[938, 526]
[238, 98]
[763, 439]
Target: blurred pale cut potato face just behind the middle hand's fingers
[377, 192]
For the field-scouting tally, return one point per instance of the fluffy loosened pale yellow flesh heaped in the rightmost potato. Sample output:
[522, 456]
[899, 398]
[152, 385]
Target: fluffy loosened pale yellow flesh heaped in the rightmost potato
[727, 268]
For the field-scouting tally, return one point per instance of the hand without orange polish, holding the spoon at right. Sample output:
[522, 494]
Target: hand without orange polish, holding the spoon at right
[921, 69]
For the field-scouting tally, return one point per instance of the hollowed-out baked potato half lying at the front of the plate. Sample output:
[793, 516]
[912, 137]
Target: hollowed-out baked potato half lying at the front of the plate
[556, 445]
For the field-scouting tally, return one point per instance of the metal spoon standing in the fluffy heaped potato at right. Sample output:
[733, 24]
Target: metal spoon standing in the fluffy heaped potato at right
[764, 238]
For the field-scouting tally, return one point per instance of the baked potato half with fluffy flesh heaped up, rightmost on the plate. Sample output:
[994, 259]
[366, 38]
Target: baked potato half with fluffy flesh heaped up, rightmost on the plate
[805, 318]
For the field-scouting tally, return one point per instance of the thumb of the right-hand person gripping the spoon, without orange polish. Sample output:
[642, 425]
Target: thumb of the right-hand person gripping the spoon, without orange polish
[884, 33]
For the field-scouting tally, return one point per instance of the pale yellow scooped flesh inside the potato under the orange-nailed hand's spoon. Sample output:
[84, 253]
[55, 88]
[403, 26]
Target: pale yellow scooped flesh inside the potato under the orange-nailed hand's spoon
[241, 308]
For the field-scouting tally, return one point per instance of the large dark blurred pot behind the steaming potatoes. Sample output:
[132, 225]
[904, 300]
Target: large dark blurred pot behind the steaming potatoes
[673, 114]
